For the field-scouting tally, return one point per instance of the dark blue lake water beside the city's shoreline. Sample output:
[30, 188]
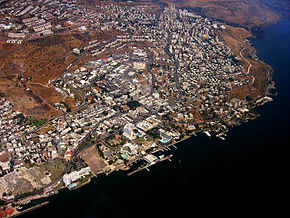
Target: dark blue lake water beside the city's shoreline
[244, 174]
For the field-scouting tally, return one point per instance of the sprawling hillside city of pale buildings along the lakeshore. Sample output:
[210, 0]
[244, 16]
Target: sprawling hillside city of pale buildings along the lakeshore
[161, 76]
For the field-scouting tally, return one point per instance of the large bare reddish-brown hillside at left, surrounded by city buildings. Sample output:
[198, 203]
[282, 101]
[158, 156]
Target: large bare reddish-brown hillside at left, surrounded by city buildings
[32, 65]
